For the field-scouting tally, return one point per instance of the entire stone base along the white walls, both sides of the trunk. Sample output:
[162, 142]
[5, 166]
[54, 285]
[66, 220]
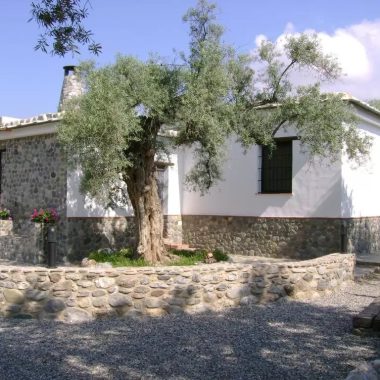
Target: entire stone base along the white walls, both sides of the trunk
[298, 238]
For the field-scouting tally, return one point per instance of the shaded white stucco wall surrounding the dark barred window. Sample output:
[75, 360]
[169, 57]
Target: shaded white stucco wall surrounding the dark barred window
[316, 188]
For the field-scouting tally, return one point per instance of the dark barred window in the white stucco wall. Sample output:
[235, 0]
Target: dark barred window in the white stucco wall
[276, 168]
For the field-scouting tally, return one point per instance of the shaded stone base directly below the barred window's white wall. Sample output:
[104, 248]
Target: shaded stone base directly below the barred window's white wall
[256, 236]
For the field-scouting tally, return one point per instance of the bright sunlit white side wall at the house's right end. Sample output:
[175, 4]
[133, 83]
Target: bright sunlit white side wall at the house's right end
[361, 184]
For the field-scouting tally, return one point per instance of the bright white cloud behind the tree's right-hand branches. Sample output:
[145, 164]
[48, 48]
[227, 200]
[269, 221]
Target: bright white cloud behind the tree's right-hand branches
[357, 48]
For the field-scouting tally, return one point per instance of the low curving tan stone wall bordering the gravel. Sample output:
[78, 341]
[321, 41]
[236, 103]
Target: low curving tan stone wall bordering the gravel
[80, 294]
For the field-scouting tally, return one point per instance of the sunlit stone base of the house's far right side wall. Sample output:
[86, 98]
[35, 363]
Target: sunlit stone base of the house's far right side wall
[363, 235]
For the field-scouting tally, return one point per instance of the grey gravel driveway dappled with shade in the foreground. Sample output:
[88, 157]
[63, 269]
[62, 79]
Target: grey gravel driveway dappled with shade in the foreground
[286, 340]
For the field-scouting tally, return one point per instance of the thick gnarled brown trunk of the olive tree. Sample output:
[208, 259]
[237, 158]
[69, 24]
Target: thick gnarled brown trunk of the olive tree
[143, 194]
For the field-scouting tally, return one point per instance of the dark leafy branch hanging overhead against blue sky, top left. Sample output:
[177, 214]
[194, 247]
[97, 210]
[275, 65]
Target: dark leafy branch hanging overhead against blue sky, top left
[64, 31]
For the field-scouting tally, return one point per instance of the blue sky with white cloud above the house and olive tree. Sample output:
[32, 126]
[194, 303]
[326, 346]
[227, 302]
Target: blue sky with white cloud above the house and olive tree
[31, 81]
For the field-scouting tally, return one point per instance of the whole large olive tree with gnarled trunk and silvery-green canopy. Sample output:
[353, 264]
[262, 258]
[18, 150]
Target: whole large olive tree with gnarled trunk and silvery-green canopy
[113, 130]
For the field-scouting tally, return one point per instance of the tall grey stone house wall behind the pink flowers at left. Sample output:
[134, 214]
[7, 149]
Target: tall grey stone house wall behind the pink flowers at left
[33, 176]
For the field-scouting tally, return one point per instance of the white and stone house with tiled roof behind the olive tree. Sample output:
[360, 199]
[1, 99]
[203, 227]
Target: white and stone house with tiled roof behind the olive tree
[285, 206]
